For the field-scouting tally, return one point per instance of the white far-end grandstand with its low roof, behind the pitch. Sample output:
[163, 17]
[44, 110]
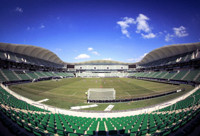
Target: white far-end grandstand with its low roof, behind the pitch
[101, 68]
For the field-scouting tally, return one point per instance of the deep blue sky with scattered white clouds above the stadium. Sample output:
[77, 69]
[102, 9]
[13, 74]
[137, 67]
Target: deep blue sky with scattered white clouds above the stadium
[81, 30]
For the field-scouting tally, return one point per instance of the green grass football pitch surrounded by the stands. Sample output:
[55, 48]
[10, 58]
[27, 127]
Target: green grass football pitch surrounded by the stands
[69, 92]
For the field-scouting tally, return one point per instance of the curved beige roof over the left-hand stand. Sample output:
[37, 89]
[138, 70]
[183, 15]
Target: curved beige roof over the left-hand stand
[32, 51]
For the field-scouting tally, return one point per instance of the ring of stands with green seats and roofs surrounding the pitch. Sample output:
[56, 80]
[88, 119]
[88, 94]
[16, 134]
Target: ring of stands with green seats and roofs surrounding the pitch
[173, 64]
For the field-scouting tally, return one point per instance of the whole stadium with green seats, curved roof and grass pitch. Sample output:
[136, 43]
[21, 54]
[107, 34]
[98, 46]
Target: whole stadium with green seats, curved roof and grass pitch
[42, 95]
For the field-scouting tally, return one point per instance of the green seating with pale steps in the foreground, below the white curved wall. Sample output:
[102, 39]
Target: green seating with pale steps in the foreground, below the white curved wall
[41, 122]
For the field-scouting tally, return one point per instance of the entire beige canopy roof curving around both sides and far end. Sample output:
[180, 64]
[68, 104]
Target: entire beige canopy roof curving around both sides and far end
[41, 53]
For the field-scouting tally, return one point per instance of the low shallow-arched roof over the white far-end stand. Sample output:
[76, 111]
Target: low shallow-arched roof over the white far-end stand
[98, 62]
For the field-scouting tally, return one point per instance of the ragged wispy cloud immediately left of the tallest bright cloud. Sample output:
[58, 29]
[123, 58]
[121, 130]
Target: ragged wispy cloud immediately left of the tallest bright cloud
[124, 24]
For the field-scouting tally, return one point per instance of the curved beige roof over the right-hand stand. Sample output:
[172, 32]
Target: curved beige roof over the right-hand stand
[169, 51]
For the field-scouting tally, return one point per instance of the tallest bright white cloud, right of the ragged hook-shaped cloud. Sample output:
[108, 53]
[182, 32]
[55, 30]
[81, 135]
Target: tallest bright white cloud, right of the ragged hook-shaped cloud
[142, 24]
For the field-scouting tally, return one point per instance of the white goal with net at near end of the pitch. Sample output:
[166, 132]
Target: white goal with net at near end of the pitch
[101, 94]
